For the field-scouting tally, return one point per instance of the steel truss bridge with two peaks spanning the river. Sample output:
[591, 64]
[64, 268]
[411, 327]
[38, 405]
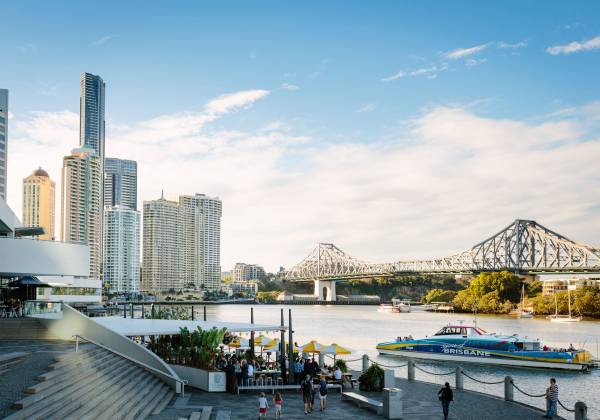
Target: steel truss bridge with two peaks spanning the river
[524, 247]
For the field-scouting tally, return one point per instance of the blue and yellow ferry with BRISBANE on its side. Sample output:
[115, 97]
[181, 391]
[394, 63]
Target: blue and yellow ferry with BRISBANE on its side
[469, 343]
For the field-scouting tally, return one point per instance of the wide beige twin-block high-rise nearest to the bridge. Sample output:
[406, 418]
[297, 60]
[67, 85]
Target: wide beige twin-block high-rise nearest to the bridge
[182, 243]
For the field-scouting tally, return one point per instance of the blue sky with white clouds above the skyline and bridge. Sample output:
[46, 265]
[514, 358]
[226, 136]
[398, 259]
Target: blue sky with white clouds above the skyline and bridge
[395, 130]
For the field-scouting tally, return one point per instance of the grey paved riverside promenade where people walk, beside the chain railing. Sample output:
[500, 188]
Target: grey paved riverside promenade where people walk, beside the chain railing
[420, 403]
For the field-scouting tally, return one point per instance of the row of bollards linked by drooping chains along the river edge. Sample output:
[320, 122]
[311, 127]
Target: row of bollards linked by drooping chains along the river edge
[579, 410]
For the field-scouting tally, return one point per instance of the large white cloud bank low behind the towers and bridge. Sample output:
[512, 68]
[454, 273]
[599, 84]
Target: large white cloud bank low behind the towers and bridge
[448, 181]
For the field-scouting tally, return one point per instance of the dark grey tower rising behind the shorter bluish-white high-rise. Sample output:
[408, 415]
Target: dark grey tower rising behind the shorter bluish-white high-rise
[120, 183]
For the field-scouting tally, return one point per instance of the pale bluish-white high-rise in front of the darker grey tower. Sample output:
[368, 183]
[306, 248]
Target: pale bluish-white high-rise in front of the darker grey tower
[121, 268]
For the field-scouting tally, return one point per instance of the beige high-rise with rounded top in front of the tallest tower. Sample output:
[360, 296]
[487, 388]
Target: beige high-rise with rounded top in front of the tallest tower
[81, 205]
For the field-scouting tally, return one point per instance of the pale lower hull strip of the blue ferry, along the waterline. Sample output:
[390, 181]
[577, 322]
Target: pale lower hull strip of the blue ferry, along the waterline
[483, 360]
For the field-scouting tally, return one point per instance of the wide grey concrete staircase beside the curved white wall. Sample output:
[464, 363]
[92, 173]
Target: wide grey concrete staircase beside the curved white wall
[93, 383]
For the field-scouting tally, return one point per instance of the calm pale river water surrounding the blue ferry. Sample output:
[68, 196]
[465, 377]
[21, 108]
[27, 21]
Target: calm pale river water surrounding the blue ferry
[362, 327]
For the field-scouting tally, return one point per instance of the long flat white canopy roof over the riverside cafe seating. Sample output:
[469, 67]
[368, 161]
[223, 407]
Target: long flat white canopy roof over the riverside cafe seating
[134, 327]
